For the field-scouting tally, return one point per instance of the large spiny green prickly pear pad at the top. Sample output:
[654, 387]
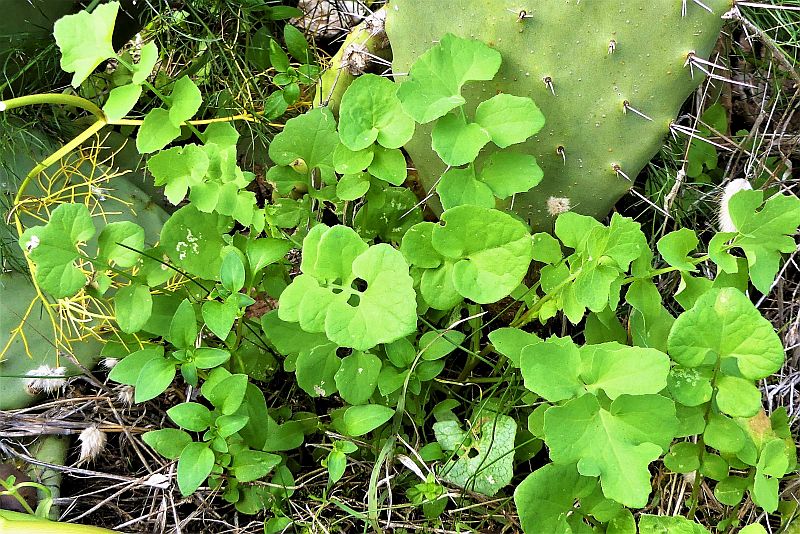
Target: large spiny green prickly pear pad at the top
[609, 76]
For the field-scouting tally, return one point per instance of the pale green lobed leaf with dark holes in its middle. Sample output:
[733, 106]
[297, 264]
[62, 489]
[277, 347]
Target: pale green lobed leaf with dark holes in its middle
[324, 298]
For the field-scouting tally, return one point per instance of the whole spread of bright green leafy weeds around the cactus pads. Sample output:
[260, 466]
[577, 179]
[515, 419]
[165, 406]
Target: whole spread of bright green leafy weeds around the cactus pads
[376, 310]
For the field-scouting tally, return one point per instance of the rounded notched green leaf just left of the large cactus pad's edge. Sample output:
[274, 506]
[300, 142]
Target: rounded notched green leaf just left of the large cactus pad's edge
[370, 111]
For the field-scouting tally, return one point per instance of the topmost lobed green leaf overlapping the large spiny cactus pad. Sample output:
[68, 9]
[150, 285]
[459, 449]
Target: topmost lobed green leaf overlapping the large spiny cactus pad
[434, 84]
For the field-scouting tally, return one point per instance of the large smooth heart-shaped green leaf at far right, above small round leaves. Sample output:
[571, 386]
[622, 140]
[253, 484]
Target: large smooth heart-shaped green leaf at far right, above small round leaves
[724, 324]
